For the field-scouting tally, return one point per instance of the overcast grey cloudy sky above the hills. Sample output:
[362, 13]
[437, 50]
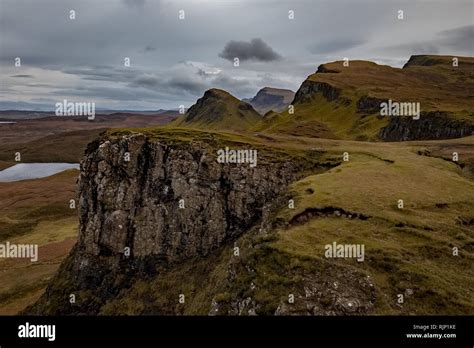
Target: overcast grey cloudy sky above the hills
[173, 61]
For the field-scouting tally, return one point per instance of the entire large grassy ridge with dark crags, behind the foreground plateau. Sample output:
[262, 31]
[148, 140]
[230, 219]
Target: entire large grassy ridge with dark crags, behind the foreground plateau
[346, 100]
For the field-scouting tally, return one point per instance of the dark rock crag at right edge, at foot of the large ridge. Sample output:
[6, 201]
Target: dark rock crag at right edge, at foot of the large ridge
[431, 125]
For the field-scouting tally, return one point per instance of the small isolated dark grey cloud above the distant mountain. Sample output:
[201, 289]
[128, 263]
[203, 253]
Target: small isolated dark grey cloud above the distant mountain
[256, 49]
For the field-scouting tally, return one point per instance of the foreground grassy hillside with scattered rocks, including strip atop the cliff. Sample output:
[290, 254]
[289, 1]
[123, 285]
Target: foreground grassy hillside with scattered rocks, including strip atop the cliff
[408, 251]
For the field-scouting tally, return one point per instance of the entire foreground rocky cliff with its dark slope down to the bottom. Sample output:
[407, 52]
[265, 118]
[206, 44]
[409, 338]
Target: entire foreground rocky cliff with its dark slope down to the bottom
[147, 204]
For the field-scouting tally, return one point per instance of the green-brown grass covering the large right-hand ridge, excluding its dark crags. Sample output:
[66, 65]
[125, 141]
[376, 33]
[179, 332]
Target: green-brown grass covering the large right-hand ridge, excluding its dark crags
[437, 88]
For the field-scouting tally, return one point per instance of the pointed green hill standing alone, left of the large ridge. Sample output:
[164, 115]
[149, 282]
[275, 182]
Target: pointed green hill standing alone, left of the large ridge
[218, 109]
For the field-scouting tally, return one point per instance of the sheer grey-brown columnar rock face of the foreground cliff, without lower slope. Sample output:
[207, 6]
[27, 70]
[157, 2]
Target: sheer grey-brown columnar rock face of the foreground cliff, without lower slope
[137, 203]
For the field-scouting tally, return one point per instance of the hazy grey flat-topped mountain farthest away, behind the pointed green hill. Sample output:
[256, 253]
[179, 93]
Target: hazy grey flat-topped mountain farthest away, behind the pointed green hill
[271, 99]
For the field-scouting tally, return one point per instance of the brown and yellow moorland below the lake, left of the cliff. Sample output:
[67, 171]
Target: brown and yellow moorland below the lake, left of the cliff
[35, 212]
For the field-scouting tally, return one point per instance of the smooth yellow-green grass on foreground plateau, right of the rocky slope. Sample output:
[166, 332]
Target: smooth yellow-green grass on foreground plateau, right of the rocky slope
[415, 255]
